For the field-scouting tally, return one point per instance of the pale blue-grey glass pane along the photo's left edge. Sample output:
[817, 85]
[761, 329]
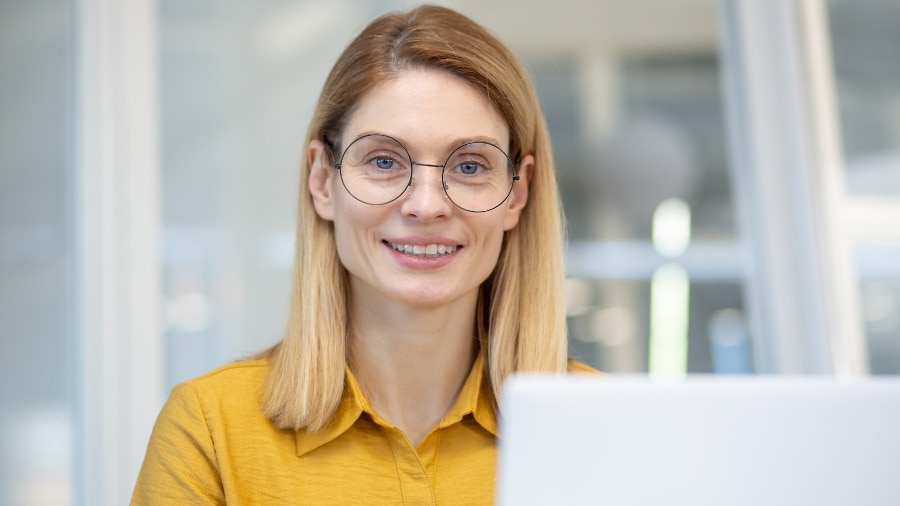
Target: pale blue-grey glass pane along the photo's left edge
[37, 418]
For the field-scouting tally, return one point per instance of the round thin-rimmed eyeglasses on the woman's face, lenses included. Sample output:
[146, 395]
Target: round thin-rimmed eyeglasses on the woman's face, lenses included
[376, 169]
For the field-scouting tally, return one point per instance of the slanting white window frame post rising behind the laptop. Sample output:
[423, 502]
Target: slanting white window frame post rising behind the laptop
[783, 133]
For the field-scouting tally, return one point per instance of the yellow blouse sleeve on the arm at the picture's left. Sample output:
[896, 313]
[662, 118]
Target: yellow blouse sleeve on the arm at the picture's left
[180, 466]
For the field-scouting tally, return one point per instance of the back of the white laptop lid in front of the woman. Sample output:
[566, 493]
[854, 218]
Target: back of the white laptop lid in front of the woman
[700, 441]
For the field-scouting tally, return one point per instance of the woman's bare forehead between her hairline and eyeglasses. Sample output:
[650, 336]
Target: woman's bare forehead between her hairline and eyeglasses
[428, 110]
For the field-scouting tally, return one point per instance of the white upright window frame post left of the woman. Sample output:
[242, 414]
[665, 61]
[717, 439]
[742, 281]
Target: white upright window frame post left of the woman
[118, 221]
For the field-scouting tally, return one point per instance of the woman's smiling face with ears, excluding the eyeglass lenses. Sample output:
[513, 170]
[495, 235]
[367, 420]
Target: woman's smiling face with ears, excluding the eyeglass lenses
[446, 252]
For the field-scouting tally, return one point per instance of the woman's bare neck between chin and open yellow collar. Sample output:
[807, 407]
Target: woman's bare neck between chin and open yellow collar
[412, 362]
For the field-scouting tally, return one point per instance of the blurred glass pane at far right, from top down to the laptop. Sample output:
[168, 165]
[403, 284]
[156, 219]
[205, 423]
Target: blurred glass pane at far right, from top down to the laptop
[864, 39]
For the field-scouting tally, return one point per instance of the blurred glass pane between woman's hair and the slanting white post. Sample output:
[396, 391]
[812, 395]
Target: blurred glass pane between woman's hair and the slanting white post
[639, 136]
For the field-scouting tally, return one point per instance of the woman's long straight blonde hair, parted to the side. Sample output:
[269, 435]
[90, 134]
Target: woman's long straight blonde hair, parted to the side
[521, 317]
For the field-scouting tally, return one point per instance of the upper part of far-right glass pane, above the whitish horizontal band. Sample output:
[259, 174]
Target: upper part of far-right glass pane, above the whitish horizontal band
[865, 39]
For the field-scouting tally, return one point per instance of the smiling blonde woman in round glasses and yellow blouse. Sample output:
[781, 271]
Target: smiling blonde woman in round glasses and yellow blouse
[428, 268]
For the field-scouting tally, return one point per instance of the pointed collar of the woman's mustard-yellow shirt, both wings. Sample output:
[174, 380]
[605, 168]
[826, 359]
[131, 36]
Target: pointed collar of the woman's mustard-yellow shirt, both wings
[473, 399]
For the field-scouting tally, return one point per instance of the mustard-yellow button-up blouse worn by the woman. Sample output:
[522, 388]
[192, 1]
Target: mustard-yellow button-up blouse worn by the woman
[212, 445]
